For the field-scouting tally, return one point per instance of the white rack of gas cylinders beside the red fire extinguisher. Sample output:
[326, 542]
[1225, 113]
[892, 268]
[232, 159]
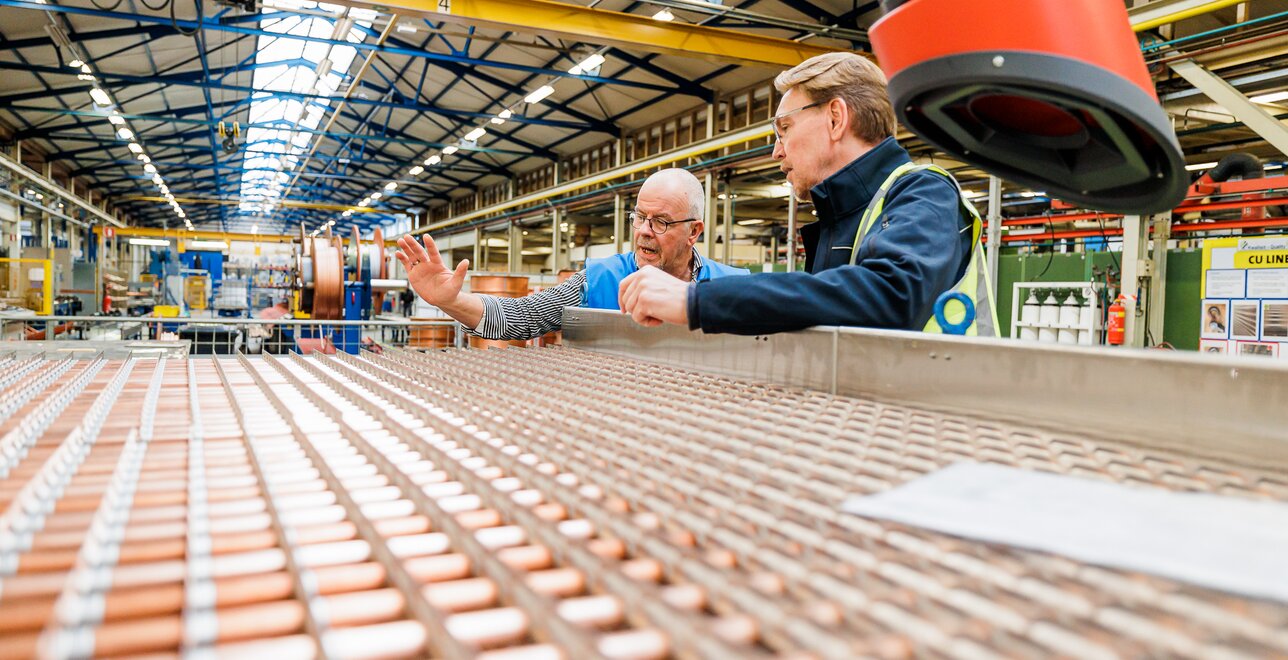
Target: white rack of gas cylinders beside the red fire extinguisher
[1058, 313]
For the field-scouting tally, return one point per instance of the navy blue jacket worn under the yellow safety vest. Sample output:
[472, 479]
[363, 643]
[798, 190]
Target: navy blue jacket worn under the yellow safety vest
[919, 249]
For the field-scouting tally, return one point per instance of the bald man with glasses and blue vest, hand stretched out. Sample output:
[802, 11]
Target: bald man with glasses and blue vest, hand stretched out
[667, 224]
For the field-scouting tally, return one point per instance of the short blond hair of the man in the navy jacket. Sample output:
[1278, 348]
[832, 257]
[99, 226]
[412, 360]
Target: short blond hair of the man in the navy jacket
[853, 79]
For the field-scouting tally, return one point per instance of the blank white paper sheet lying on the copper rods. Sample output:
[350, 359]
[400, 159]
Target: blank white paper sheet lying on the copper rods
[1232, 545]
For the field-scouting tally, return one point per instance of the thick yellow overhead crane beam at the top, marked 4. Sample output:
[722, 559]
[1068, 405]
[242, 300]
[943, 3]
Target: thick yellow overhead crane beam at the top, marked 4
[605, 28]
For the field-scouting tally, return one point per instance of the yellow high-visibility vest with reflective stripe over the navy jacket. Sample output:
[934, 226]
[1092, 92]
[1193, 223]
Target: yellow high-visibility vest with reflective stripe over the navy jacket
[974, 282]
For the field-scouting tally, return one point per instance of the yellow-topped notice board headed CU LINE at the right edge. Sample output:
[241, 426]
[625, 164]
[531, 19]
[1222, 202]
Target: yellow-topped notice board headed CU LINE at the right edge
[1245, 292]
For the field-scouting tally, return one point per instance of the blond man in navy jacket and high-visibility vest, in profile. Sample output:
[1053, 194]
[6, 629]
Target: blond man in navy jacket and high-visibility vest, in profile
[891, 238]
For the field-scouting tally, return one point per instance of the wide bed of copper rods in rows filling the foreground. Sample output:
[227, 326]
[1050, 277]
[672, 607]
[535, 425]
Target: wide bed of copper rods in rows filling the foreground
[539, 505]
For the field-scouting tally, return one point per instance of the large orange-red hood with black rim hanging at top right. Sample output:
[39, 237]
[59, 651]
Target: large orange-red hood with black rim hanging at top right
[1048, 93]
